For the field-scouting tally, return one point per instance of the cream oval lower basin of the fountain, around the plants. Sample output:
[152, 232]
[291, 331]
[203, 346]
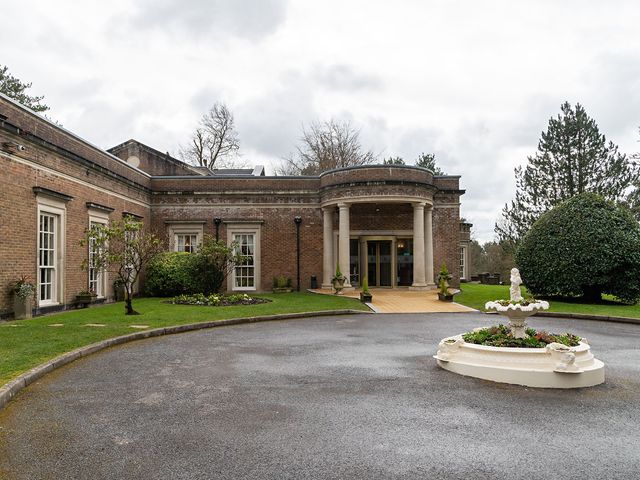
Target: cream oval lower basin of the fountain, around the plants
[555, 366]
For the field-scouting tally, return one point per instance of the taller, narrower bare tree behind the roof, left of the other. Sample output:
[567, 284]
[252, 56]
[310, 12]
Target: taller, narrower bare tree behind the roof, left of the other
[215, 142]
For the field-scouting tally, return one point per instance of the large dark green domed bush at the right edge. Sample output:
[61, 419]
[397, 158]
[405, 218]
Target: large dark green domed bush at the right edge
[584, 247]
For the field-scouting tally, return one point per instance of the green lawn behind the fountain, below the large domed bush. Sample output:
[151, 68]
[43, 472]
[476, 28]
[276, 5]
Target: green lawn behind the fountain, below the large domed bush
[475, 296]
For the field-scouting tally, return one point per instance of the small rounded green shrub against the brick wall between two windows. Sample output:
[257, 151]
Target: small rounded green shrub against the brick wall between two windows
[173, 273]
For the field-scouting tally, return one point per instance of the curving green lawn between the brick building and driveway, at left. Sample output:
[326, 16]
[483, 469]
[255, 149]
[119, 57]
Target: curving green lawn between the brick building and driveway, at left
[25, 344]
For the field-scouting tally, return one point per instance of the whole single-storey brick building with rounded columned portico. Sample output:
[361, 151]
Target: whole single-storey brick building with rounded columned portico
[394, 224]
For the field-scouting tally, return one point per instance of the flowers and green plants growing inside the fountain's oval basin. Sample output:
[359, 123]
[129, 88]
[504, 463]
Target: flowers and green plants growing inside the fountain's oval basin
[500, 336]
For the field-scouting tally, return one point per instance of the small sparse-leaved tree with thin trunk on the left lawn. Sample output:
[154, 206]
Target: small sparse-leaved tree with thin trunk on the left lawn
[123, 247]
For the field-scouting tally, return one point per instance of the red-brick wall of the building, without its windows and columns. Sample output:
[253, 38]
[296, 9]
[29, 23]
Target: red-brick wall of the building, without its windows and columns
[58, 161]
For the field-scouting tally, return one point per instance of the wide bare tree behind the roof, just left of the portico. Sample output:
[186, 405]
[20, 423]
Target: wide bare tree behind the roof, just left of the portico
[324, 146]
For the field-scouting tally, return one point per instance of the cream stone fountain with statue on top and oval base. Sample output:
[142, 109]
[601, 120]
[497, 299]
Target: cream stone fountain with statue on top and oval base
[555, 366]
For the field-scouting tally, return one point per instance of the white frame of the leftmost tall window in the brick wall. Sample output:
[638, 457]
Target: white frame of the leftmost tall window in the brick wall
[57, 209]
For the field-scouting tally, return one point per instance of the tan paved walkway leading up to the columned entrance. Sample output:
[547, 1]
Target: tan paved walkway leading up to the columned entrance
[403, 300]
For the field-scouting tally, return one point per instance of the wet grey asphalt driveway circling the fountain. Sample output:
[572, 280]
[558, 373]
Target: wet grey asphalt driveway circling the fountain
[333, 397]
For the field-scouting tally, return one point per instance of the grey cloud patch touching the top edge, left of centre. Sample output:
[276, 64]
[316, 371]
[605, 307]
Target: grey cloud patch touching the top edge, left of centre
[248, 19]
